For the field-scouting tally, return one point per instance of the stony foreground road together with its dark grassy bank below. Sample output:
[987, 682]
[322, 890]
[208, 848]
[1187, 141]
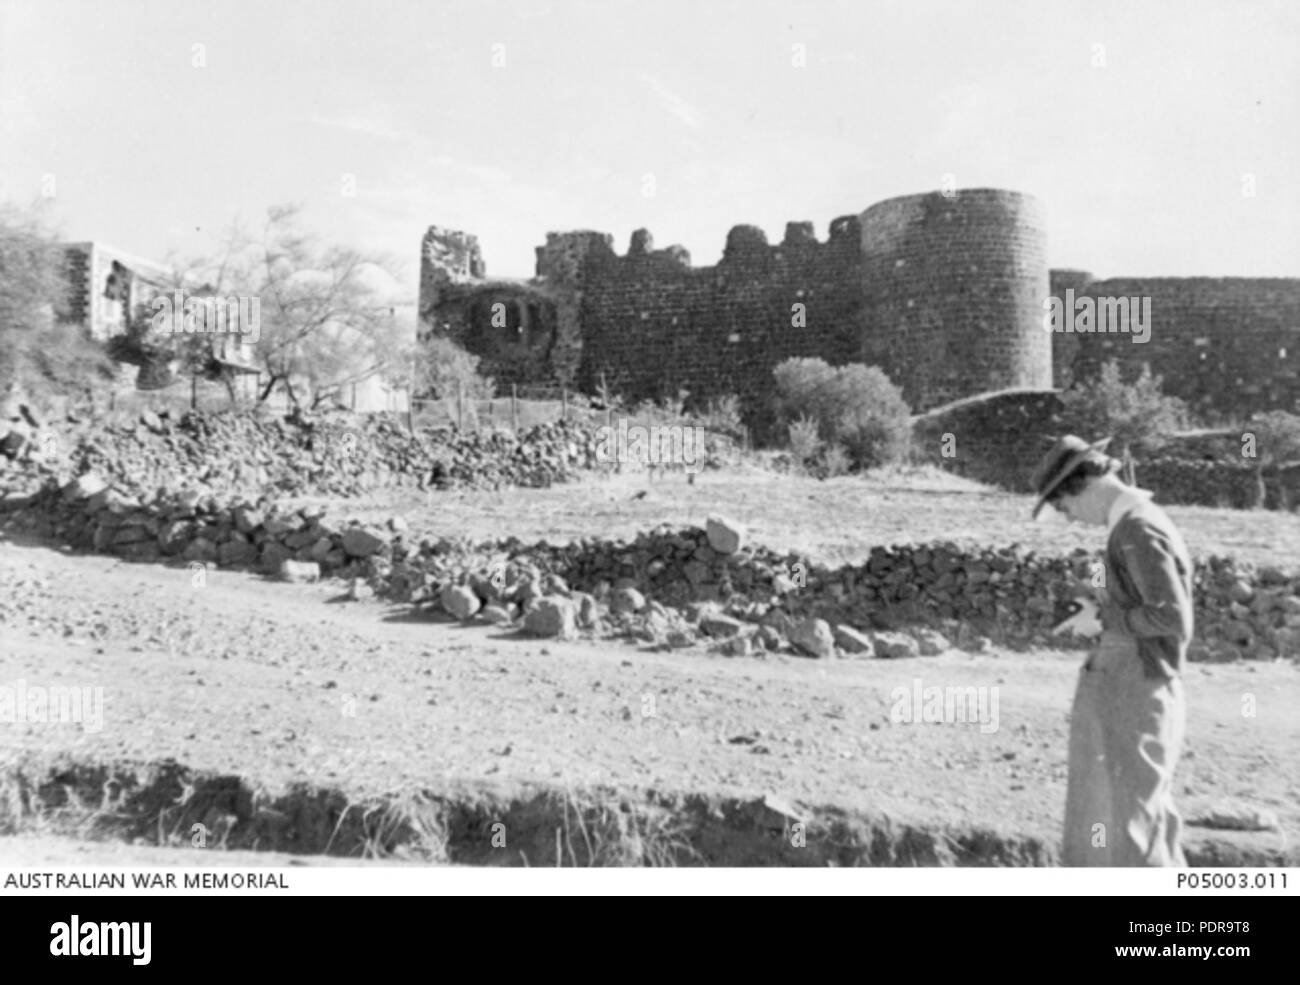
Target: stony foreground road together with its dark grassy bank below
[288, 718]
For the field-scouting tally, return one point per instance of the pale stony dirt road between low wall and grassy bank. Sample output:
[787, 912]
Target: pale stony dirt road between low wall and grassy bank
[284, 684]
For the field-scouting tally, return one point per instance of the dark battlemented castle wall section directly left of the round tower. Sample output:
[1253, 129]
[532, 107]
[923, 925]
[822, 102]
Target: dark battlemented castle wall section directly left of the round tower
[653, 327]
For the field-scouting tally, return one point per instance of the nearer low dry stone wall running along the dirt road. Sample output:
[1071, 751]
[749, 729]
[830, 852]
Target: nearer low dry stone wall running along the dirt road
[1004, 595]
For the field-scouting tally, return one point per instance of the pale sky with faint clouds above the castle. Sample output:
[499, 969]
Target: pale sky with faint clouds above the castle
[1163, 137]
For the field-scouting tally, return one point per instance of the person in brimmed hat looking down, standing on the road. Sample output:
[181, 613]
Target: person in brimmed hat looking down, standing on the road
[1126, 726]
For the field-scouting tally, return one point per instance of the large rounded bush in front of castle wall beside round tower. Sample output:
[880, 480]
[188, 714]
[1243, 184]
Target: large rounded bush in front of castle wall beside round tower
[856, 407]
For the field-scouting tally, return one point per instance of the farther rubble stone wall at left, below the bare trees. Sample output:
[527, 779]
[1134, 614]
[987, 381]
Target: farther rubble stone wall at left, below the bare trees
[339, 455]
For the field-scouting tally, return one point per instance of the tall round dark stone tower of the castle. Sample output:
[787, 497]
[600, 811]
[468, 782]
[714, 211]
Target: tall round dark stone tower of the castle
[954, 288]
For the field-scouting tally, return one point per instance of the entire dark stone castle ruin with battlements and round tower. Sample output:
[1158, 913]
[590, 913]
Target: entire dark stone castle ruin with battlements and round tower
[943, 292]
